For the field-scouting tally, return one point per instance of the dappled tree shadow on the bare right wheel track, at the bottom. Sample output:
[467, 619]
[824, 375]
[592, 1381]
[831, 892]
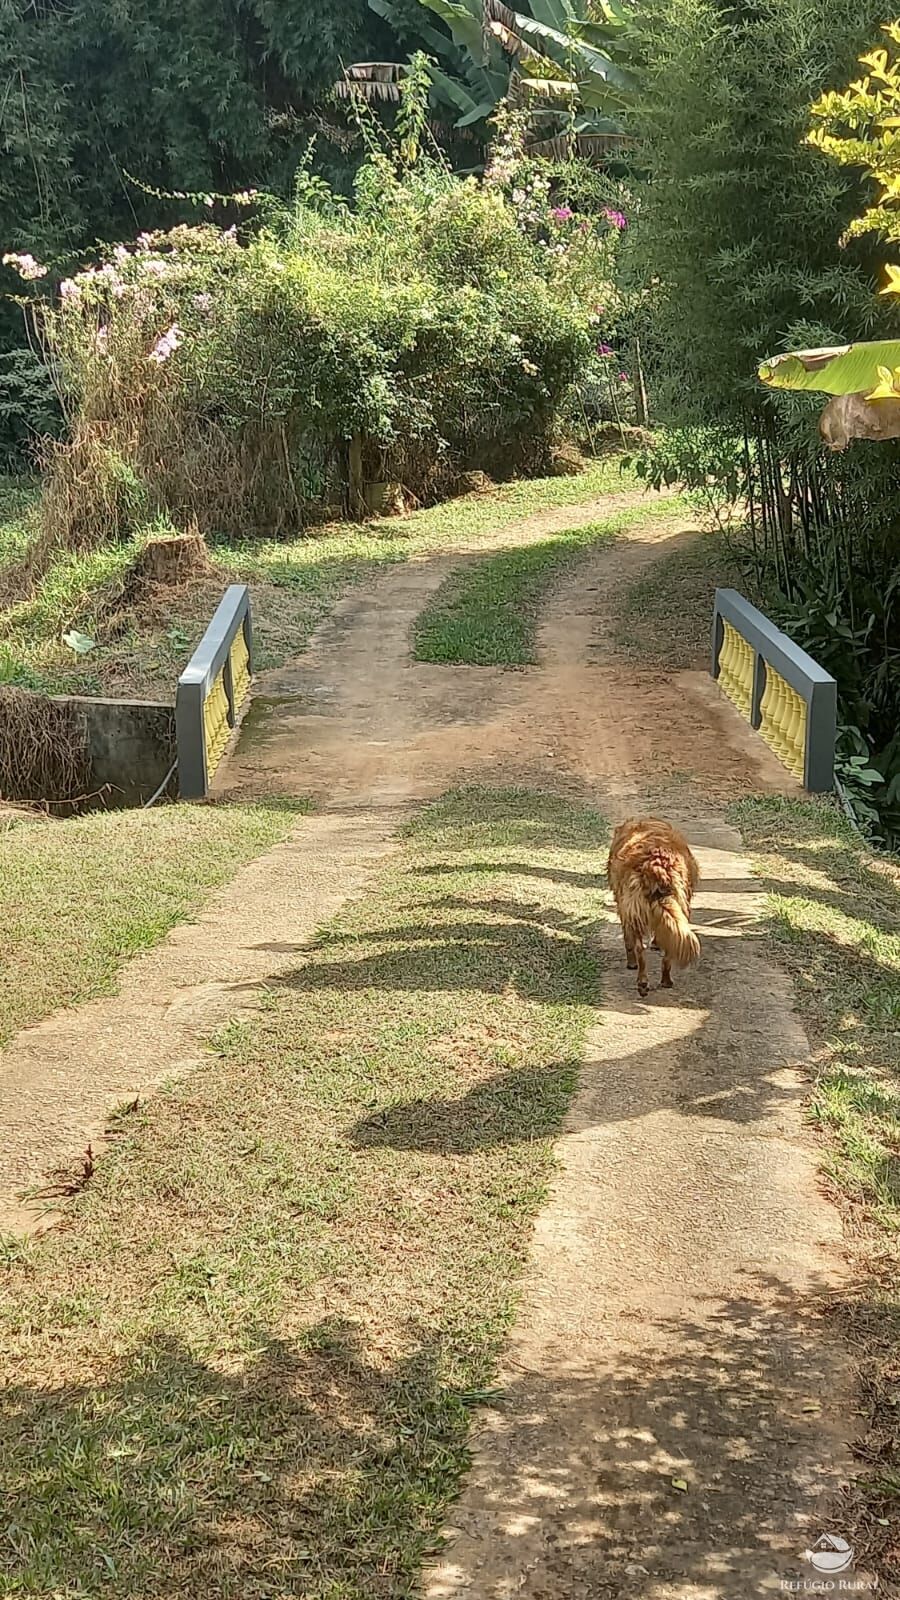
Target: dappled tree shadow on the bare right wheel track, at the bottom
[704, 1457]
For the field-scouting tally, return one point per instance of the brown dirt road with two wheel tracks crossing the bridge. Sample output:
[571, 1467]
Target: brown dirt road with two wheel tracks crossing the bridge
[675, 1414]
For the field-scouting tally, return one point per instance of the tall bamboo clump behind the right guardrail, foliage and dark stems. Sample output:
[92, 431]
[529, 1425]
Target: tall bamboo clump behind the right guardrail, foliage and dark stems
[737, 236]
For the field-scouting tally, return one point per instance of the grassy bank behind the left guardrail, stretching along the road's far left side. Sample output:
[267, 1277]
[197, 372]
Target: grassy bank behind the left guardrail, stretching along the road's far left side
[295, 585]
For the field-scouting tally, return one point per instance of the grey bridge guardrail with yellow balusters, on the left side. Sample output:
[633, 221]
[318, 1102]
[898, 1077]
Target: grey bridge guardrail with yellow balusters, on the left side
[212, 694]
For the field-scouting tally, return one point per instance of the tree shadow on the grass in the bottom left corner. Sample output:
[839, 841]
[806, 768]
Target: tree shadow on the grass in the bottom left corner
[308, 1470]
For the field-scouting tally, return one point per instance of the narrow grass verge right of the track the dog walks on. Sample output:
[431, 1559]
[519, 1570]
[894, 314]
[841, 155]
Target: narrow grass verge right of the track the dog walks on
[834, 914]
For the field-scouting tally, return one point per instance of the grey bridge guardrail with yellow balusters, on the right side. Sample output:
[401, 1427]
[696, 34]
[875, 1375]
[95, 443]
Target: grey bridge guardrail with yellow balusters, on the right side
[782, 692]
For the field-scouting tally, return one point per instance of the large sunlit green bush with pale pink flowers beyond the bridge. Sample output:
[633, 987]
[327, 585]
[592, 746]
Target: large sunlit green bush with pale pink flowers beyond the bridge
[249, 385]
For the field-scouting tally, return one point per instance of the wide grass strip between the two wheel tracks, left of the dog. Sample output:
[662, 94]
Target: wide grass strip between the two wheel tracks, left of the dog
[249, 1366]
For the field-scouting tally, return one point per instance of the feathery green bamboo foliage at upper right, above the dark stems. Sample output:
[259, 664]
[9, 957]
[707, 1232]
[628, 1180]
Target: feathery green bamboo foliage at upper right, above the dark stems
[739, 215]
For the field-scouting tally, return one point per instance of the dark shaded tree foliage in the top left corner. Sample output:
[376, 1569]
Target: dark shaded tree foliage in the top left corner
[182, 94]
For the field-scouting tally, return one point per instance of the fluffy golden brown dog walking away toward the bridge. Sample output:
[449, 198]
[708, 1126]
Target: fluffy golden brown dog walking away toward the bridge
[653, 876]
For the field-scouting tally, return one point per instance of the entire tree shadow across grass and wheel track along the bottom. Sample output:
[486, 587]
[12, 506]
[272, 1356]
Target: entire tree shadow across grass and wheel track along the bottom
[696, 1455]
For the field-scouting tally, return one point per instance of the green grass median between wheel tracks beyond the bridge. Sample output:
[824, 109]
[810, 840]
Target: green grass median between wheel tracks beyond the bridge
[488, 612]
